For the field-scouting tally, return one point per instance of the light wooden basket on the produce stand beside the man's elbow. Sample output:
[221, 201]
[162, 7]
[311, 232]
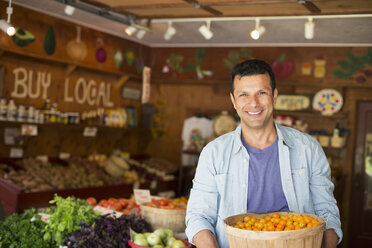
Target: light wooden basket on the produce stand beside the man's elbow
[173, 219]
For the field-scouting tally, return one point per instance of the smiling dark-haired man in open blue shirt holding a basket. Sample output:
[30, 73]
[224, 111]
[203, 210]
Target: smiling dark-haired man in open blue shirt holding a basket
[260, 167]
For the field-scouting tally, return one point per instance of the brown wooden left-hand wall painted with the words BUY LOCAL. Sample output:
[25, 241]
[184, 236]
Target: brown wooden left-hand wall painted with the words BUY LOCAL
[25, 68]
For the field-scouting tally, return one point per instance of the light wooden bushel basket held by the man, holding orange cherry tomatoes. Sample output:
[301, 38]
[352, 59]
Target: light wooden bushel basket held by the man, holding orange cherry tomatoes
[304, 238]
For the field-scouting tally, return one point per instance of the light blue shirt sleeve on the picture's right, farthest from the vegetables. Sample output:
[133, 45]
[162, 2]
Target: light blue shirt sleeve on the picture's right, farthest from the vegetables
[321, 188]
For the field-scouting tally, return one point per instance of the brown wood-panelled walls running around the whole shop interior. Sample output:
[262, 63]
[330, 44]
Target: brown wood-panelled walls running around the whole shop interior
[179, 92]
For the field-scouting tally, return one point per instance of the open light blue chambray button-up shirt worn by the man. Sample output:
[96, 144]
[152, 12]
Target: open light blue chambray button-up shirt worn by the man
[220, 185]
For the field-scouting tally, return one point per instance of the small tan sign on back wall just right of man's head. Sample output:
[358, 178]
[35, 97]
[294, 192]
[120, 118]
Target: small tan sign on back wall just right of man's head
[291, 102]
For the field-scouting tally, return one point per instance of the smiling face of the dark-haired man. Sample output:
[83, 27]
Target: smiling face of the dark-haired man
[253, 100]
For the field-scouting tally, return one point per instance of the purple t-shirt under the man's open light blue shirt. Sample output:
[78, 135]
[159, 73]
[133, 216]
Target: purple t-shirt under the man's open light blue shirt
[265, 191]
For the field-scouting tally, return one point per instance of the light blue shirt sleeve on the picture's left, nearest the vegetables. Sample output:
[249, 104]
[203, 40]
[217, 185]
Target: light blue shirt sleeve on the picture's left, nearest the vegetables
[202, 205]
